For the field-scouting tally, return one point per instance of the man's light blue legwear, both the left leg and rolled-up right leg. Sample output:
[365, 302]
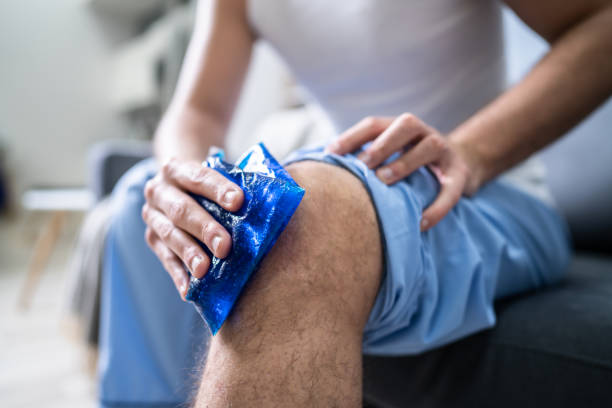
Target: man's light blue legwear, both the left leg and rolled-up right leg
[438, 286]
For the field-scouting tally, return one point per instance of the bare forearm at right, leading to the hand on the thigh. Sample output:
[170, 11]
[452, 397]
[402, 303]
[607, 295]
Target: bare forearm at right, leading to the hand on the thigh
[564, 87]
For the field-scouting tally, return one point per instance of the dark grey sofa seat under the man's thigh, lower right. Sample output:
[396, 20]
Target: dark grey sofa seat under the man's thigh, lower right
[552, 349]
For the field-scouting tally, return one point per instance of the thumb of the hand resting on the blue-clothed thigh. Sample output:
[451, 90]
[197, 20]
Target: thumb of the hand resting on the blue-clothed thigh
[451, 189]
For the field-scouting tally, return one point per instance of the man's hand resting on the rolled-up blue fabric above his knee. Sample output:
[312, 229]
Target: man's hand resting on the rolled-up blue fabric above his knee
[419, 145]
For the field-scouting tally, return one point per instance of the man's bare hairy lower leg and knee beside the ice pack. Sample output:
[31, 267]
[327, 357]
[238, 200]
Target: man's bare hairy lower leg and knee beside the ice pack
[294, 338]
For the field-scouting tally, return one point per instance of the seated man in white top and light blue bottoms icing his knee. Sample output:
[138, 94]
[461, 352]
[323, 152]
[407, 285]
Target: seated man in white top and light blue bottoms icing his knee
[383, 258]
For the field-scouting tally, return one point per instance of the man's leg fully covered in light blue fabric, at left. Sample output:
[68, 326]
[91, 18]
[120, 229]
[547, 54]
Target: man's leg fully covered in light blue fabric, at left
[149, 338]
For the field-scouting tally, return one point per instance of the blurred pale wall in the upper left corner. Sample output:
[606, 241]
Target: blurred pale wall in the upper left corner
[54, 59]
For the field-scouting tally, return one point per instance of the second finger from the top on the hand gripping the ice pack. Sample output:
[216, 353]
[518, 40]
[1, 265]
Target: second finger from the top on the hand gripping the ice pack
[185, 213]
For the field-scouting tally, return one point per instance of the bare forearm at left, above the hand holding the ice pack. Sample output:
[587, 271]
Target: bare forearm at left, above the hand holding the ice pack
[210, 82]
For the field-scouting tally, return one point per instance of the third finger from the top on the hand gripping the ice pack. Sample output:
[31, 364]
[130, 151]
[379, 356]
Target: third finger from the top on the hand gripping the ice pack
[177, 240]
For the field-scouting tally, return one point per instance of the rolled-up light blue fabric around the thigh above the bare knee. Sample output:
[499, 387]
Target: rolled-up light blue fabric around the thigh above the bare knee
[440, 285]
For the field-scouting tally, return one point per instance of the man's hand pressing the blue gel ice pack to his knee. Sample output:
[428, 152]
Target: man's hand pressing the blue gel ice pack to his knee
[173, 218]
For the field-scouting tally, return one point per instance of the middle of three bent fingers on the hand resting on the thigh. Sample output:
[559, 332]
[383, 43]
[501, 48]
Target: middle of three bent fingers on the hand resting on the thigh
[404, 130]
